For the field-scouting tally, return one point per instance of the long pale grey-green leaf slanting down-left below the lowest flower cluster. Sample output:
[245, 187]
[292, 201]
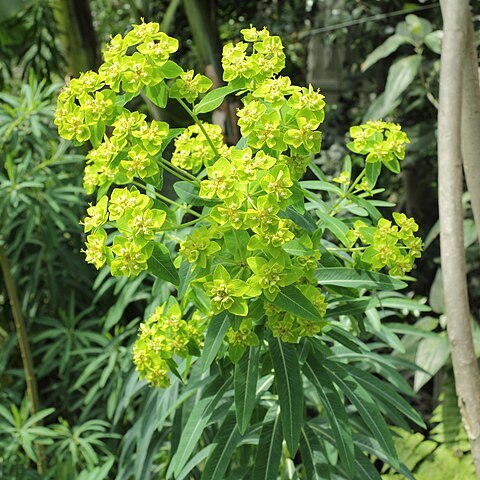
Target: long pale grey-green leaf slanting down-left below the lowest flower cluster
[198, 419]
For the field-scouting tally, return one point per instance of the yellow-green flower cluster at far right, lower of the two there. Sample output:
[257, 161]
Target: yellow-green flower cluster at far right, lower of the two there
[392, 246]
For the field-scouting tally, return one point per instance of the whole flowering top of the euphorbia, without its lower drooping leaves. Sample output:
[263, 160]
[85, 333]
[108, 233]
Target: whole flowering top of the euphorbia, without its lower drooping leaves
[246, 234]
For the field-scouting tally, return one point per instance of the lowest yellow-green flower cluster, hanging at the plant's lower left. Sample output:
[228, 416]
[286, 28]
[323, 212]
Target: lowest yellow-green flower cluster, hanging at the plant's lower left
[164, 336]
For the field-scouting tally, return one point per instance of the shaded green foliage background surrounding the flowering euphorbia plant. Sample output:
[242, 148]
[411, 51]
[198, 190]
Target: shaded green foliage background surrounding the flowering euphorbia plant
[95, 419]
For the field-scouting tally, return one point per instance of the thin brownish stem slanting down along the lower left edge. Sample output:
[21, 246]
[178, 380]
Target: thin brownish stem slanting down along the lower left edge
[24, 344]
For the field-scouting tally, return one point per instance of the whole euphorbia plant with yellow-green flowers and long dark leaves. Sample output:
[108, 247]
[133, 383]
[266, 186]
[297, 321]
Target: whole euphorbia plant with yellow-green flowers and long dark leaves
[263, 271]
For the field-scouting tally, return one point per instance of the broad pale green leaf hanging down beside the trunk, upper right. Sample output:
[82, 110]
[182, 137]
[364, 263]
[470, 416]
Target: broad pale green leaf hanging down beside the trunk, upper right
[400, 75]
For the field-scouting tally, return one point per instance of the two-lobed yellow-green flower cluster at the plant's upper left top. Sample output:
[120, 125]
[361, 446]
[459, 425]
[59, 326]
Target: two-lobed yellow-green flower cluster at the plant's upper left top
[92, 101]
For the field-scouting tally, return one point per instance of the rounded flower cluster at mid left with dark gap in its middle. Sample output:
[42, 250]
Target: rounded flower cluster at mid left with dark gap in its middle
[137, 223]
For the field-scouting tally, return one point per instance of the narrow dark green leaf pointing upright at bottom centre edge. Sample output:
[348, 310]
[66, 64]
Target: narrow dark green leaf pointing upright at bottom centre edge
[269, 450]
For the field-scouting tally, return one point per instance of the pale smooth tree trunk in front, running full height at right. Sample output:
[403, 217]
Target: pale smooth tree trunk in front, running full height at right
[450, 184]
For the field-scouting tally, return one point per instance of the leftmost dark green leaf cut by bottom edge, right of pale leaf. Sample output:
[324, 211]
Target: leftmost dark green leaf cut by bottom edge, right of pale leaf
[225, 442]
